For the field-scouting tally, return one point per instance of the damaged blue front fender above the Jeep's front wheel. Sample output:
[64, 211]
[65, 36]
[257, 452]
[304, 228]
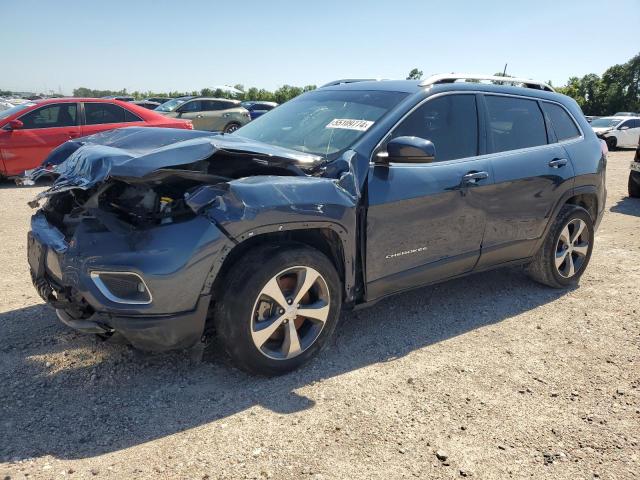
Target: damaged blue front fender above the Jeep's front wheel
[249, 207]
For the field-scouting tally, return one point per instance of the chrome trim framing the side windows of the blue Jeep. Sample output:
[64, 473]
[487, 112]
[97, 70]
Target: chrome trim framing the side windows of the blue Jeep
[487, 155]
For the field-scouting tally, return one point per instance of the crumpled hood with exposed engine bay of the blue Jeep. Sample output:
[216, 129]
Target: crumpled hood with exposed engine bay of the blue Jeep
[100, 178]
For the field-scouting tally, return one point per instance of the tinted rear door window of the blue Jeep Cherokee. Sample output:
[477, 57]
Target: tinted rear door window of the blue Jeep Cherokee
[515, 123]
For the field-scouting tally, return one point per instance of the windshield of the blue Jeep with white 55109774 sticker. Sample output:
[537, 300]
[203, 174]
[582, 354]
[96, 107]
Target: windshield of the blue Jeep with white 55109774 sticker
[322, 122]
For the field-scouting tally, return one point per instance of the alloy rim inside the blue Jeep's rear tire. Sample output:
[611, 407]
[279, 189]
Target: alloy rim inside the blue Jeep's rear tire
[572, 248]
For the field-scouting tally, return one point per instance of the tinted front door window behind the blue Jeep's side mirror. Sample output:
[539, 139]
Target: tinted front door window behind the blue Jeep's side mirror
[450, 122]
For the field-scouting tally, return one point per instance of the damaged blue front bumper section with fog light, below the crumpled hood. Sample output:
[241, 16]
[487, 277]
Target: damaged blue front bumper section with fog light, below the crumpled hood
[142, 276]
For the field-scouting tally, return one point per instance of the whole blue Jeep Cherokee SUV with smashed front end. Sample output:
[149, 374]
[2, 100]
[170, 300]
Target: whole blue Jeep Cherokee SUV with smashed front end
[340, 197]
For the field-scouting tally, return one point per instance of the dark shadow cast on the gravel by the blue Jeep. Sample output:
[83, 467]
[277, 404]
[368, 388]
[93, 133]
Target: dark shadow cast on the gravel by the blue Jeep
[72, 396]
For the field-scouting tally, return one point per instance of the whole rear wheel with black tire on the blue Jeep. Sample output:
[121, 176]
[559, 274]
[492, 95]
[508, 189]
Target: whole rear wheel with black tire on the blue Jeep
[566, 251]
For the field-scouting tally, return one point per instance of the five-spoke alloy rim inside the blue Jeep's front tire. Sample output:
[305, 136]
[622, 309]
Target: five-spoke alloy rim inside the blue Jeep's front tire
[290, 313]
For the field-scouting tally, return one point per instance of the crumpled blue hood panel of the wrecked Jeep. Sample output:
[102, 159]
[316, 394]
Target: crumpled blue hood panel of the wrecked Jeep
[138, 151]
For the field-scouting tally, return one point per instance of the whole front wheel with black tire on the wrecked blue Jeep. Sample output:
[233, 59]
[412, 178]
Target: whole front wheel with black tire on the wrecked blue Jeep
[279, 307]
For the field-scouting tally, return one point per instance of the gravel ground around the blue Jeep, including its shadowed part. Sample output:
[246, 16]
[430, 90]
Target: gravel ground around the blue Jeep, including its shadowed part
[491, 376]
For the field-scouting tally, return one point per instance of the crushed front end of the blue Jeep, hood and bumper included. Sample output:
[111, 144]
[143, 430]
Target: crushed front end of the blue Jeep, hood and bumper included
[121, 241]
